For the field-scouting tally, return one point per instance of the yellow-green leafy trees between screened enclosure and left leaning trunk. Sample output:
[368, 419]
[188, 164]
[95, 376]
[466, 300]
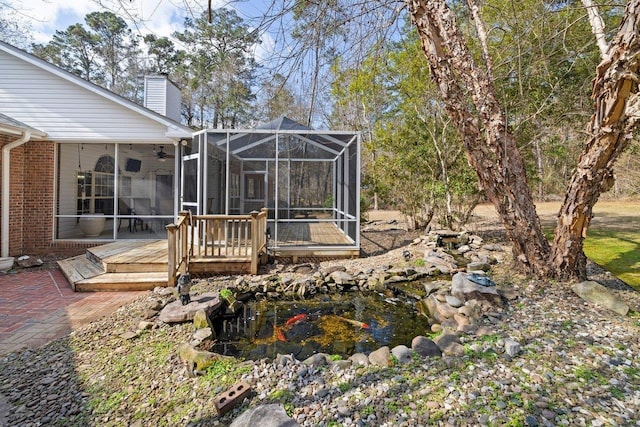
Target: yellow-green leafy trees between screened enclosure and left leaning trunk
[412, 155]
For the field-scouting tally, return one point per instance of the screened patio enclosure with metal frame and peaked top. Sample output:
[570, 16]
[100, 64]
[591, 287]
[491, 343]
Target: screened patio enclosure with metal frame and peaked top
[308, 180]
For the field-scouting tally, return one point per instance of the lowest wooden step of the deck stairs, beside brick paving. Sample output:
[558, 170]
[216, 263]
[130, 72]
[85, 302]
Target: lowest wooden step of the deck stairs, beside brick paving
[123, 282]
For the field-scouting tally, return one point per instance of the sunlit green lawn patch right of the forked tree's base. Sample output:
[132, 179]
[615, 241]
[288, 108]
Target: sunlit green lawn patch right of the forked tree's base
[616, 251]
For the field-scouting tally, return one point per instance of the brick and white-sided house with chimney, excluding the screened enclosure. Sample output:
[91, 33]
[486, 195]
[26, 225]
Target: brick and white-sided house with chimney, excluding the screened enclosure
[80, 164]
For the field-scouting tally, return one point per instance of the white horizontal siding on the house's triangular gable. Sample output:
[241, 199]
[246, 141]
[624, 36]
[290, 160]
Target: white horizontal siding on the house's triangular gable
[68, 111]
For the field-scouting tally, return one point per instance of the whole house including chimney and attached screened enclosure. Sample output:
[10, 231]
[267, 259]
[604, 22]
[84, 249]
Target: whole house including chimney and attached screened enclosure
[82, 166]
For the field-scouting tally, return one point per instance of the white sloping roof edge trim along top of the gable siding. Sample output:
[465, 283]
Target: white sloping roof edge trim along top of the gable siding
[175, 129]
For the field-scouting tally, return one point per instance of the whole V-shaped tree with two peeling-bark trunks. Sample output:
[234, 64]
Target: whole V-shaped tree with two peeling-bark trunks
[470, 99]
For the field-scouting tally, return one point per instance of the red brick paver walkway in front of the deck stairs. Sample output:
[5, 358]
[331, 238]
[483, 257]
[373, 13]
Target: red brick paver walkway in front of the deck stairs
[37, 307]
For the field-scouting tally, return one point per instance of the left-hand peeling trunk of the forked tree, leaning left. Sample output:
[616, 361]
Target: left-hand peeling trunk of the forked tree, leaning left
[478, 116]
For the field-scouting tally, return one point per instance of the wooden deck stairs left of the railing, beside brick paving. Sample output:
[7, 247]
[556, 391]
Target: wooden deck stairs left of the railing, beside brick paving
[119, 266]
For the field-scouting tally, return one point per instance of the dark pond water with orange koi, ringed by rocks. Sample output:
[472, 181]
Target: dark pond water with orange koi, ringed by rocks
[341, 324]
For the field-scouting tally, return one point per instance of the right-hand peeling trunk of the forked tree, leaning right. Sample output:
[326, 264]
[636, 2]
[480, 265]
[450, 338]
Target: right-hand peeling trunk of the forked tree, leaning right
[615, 90]
